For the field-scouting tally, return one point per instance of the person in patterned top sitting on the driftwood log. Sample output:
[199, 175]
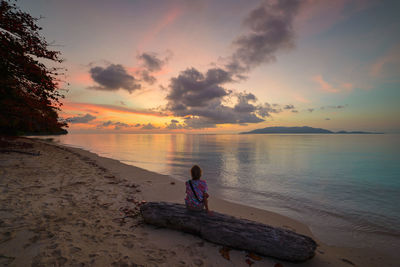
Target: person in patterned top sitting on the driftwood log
[196, 191]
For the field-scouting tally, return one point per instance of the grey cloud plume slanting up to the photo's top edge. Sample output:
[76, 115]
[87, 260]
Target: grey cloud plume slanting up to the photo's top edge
[270, 29]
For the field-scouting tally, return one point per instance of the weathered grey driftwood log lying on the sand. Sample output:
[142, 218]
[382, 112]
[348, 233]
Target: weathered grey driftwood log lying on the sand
[230, 231]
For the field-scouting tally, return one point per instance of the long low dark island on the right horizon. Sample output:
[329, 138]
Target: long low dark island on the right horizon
[300, 130]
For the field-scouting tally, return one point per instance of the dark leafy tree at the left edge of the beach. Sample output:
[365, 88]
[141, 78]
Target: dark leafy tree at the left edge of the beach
[29, 91]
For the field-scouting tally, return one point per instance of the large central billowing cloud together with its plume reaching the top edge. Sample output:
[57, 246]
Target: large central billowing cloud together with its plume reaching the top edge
[200, 98]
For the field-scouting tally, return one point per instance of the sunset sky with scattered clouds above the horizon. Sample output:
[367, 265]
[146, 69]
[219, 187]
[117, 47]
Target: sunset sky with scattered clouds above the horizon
[225, 66]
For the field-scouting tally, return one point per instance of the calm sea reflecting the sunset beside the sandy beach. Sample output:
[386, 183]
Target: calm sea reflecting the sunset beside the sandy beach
[345, 187]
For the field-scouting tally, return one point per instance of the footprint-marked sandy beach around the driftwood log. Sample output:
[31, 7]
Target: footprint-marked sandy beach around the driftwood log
[66, 206]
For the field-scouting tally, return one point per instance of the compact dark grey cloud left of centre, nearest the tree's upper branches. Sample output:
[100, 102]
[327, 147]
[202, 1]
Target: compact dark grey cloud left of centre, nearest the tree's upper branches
[112, 78]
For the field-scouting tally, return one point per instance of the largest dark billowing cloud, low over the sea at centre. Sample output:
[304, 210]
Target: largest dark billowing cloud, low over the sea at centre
[199, 98]
